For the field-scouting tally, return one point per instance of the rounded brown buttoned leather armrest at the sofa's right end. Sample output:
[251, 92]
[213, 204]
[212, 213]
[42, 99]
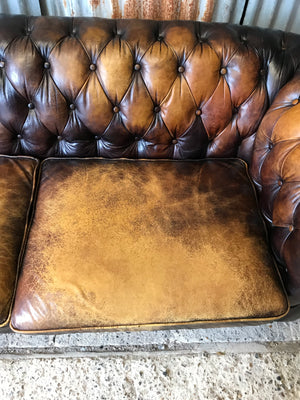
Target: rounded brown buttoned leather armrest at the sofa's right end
[276, 172]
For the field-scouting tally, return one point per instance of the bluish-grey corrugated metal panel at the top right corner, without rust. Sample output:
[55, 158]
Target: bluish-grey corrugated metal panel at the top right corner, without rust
[276, 14]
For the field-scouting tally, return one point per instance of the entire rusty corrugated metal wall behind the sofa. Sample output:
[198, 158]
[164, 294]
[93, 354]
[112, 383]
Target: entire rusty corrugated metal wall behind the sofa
[277, 14]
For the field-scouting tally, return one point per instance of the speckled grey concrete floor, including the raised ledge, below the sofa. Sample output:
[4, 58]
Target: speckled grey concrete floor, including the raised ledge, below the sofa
[250, 362]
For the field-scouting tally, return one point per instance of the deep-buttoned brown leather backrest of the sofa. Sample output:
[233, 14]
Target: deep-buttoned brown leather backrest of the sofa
[137, 89]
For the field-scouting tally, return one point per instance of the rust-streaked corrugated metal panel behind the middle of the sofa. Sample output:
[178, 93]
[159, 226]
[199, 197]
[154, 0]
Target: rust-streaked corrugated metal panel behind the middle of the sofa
[204, 10]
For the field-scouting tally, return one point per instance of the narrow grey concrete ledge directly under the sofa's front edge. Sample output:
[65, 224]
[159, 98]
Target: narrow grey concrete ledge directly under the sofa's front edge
[276, 336]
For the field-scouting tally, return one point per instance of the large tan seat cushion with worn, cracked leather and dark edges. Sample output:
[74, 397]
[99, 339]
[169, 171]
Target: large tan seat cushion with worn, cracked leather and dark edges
[124, 244]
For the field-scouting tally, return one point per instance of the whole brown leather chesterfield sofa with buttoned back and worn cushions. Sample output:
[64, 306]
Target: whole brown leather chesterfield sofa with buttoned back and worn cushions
[150, 174]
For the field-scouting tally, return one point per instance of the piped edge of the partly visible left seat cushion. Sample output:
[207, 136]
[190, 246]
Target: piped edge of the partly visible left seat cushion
[25, 232]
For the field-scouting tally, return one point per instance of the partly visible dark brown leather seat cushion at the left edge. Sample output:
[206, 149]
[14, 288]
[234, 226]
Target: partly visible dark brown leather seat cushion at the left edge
[16, 187]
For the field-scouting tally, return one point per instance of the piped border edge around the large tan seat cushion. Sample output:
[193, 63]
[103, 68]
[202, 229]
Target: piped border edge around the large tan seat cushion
[165, 325]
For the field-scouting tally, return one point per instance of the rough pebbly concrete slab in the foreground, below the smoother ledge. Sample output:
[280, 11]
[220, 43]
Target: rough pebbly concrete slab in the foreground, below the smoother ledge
[153, 376]
